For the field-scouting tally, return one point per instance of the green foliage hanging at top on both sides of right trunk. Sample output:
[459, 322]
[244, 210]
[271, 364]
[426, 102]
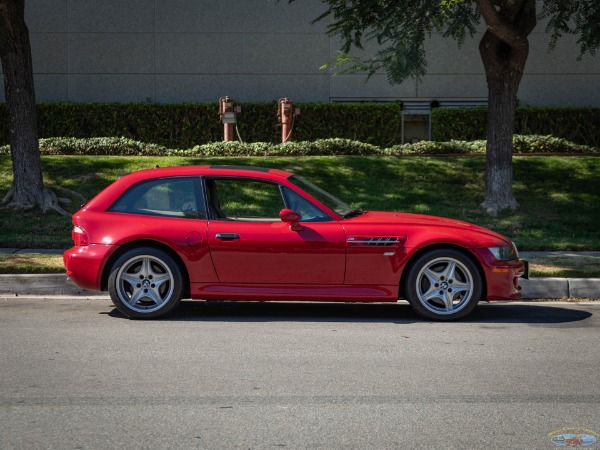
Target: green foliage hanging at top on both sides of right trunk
[401, 27]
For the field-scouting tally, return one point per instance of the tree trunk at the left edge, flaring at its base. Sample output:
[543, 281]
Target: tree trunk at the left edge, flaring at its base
[27, 191]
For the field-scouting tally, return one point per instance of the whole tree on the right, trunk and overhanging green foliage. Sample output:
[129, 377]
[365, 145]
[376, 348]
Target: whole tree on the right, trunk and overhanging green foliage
[401, 27]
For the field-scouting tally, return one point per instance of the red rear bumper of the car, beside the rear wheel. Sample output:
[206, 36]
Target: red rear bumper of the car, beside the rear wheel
[84, 265]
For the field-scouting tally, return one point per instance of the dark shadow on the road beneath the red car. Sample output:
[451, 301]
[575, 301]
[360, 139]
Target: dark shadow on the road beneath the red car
[399, 313]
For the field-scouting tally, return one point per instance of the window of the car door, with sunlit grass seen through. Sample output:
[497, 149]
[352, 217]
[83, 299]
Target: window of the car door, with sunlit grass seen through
[245, 200]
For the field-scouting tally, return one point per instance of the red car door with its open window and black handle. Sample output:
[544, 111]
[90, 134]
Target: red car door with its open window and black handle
[250, 244]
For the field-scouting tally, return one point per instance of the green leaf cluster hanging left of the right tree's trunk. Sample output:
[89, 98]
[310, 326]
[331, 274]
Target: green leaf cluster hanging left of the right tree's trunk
[395, 33]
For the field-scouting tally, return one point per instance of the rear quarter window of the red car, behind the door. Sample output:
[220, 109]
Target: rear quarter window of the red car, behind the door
[166, 197]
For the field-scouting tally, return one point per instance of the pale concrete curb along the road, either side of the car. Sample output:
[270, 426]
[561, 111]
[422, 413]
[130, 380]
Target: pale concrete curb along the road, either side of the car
[56, 284]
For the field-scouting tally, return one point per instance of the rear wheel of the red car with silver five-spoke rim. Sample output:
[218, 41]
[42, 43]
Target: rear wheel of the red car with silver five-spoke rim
[145, 283]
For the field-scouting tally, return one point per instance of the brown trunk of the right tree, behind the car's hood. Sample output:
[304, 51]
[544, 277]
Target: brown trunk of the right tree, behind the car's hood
[504, 49]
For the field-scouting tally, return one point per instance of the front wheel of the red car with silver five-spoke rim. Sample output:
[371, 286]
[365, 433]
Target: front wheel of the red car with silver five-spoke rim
[443, 284]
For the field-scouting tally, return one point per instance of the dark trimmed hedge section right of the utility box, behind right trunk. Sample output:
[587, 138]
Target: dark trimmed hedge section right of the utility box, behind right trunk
[579, 125]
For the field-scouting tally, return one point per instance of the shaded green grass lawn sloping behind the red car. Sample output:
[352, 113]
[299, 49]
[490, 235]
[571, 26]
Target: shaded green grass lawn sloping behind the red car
[559, 196]
